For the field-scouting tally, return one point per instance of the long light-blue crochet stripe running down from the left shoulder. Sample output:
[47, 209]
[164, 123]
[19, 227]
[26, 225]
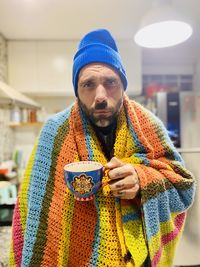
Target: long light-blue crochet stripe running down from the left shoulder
[46, 140]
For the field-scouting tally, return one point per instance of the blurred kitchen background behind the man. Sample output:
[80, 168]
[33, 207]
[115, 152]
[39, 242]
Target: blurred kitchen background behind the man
[38, 39]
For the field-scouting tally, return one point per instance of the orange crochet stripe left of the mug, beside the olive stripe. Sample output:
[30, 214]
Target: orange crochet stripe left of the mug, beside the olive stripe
[57, 201]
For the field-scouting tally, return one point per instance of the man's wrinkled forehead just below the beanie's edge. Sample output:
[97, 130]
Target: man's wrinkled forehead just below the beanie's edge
[98, 69]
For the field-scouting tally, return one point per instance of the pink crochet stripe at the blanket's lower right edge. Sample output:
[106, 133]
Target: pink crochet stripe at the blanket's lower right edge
[179, 220]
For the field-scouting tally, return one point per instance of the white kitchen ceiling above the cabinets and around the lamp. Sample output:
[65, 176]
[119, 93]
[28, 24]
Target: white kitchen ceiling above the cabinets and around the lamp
[71, 19]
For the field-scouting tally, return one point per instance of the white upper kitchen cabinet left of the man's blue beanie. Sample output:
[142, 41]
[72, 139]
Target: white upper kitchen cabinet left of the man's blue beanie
[41, 68]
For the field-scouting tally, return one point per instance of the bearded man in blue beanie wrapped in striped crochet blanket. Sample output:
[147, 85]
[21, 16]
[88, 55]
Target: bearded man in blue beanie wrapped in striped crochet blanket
[134, 221]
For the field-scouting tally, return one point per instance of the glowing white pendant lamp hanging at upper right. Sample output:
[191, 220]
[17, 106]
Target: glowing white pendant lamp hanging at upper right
[162, 26]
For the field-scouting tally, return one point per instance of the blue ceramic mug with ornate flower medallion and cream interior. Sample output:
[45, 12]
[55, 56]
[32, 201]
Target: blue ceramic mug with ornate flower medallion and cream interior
[84, 178]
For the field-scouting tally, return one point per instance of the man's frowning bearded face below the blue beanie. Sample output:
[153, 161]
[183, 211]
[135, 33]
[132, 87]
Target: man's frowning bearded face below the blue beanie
[100, 93]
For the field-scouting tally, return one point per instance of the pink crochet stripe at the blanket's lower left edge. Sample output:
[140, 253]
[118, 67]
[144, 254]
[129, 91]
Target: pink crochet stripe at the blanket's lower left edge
[18, 241]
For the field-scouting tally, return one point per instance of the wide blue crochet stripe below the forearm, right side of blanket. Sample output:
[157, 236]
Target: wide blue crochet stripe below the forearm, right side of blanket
[167, 202]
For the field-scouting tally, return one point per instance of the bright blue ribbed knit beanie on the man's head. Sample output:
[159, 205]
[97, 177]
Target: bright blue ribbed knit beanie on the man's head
[98, 47]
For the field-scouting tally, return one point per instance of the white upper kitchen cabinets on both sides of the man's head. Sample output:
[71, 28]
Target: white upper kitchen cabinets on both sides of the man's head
[45, 67]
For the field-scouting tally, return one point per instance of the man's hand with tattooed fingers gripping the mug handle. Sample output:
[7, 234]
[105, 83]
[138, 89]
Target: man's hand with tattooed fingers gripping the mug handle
[124, 179]
